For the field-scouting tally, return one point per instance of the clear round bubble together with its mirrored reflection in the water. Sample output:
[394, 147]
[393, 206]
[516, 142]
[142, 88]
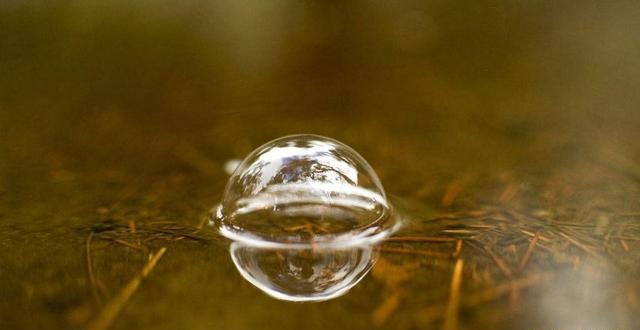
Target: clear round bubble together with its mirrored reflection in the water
[304, 213]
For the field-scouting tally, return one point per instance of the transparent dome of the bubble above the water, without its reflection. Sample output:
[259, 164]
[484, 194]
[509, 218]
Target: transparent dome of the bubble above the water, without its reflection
[304, 189]
